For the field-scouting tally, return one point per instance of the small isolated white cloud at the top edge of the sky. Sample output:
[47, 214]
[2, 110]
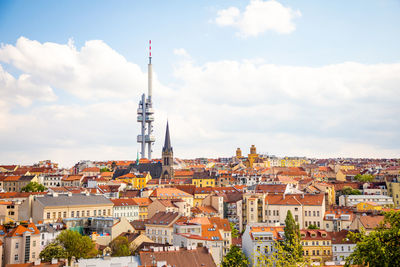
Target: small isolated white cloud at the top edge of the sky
[258, 17]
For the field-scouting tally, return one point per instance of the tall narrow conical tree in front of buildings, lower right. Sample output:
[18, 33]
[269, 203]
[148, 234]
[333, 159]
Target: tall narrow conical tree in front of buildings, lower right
[292, 243]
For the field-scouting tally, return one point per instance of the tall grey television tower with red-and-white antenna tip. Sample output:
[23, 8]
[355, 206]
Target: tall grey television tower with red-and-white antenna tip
[146, 115]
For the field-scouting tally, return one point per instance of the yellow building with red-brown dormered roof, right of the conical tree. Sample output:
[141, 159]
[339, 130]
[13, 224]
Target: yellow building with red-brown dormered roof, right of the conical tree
[317, 245]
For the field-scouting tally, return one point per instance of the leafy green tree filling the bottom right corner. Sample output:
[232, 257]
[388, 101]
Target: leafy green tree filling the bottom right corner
[381, 247]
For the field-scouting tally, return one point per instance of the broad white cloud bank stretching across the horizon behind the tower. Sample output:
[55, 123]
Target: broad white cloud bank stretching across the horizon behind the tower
[347, 109]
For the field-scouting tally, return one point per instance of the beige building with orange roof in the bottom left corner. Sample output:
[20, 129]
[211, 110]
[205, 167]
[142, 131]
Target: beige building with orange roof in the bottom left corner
[22, 244]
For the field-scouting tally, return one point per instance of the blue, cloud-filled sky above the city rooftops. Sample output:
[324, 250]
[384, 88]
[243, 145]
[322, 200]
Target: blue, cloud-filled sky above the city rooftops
[295, 78]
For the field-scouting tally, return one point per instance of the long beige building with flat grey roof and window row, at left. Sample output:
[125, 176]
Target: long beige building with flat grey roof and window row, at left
[50, 208]
